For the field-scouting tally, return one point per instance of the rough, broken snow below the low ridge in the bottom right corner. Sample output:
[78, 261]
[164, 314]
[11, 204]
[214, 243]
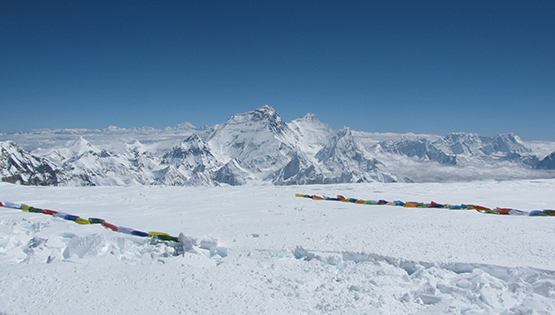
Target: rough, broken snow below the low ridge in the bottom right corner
[386, 283]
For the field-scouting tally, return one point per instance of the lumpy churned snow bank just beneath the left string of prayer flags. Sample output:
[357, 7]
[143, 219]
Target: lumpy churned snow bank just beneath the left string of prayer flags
[38, 240]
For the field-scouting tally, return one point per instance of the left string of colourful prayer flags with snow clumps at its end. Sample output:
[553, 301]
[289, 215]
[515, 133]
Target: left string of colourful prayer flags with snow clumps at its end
[186, 243]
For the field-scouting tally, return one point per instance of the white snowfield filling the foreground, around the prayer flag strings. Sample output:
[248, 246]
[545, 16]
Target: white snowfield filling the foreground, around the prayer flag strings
[279, 254]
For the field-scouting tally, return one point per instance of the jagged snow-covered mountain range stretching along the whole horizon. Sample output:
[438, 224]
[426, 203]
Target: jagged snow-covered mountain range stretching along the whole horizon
[260, 147]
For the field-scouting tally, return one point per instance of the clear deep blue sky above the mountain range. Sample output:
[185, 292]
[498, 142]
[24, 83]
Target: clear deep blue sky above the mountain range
[380, 66]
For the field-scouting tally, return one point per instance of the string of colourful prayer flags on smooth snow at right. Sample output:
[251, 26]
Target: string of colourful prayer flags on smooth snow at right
[413, 204]
